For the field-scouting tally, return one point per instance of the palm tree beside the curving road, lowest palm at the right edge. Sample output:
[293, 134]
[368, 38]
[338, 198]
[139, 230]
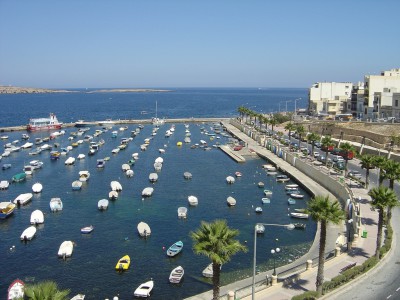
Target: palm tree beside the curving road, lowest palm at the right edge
[382, 198]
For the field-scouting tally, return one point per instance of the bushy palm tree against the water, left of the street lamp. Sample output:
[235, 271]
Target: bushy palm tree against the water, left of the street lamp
[217, 242]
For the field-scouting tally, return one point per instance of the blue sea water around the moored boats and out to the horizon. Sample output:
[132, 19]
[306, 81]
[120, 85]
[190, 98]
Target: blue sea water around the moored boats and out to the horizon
[91, 269]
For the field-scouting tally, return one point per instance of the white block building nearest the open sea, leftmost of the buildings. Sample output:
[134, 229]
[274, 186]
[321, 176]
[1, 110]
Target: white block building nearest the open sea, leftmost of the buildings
[329, 98]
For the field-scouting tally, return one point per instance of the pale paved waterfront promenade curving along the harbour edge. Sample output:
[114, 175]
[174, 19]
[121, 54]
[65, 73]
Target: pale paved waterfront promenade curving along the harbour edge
[293, 280]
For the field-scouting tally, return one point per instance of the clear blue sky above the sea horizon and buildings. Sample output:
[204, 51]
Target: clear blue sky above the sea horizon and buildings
[219, 43]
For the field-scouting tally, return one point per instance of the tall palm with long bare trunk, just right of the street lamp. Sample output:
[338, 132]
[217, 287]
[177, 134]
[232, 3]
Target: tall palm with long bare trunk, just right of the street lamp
[323, 210]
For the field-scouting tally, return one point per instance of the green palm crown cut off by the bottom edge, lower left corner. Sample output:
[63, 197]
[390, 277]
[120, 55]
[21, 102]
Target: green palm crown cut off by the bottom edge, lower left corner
[46, 290]
